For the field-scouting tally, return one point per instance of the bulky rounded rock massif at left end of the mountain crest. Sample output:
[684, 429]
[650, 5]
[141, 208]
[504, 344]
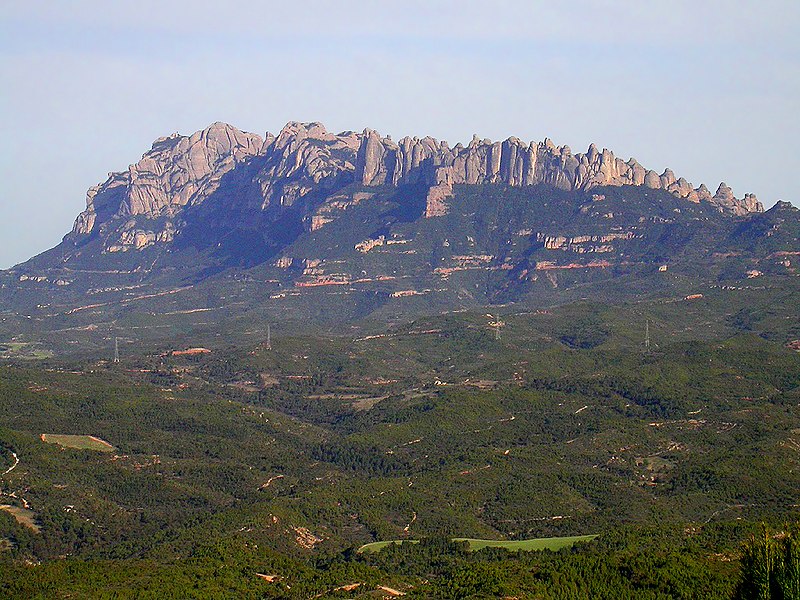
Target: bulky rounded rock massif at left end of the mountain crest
[182, 171]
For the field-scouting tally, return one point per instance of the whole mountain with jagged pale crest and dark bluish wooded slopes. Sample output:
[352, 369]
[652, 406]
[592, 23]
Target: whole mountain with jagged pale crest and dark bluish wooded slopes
[318, 227]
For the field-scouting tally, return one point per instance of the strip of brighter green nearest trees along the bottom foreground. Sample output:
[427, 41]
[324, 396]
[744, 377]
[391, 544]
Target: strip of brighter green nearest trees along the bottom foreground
[436, 568]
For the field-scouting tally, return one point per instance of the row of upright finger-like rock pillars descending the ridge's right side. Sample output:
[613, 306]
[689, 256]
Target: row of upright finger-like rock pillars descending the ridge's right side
[515, 163]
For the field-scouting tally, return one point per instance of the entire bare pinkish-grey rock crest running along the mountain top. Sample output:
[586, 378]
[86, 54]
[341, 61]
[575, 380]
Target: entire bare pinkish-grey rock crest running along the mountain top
[180, 171]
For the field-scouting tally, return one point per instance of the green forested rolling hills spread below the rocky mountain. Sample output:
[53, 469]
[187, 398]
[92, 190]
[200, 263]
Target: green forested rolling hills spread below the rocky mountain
[283, 461]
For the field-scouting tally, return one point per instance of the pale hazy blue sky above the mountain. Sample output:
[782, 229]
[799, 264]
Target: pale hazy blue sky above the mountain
[709, 89]
